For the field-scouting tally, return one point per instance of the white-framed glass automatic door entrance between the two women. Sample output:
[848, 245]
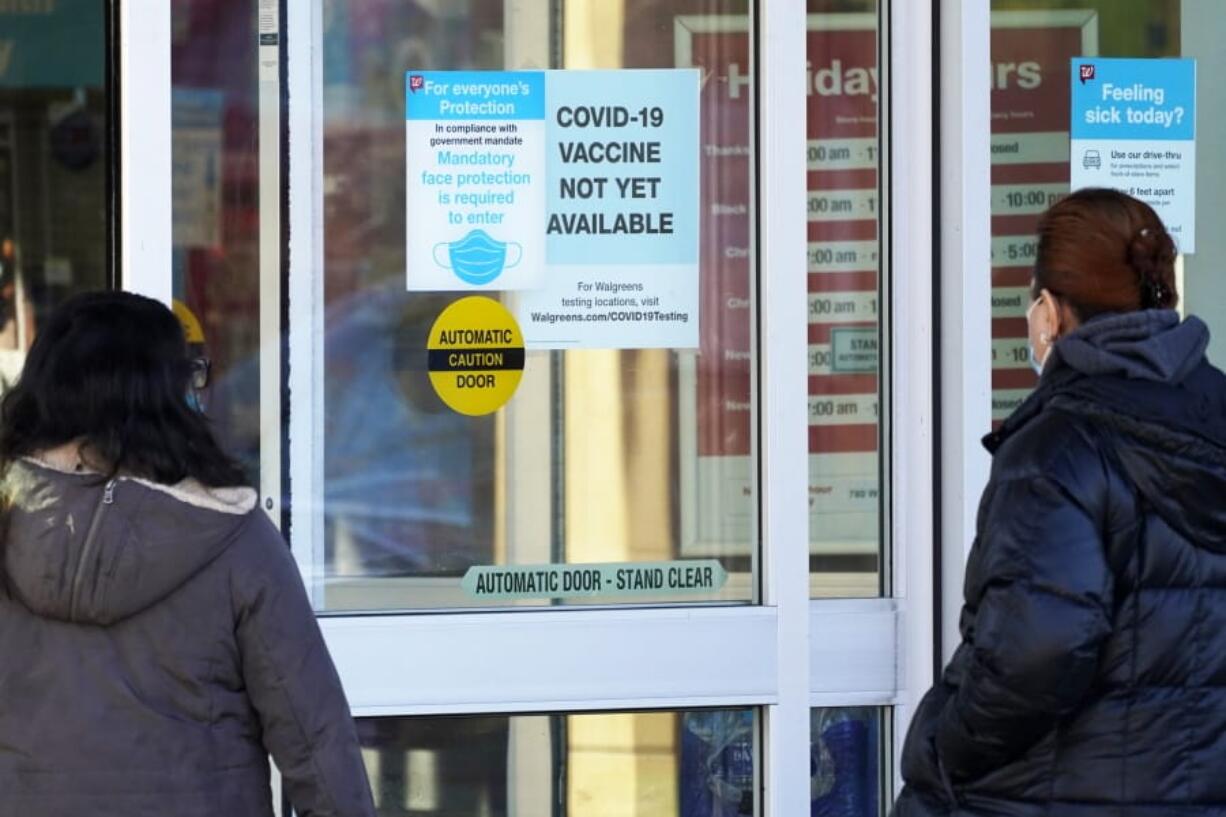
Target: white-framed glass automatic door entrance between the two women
[666, 576]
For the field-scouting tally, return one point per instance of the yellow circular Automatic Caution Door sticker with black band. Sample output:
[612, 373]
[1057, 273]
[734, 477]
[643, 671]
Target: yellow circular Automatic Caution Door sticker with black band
[475, 356]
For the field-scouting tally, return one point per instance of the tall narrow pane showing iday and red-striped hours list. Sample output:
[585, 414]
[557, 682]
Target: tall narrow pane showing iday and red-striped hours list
[847, 290]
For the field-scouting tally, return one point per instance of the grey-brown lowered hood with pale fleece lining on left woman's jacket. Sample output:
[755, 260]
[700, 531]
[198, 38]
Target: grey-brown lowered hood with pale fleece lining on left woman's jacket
[85, 550]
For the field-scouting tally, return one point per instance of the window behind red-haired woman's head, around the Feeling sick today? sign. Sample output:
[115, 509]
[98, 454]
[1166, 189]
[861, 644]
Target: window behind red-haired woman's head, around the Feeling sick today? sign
[1033, 45]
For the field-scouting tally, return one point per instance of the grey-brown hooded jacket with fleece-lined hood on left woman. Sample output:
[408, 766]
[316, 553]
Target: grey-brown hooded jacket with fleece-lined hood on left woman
[156, 645]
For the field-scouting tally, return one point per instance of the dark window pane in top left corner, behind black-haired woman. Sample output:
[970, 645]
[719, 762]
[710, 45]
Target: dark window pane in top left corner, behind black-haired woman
[56, 165]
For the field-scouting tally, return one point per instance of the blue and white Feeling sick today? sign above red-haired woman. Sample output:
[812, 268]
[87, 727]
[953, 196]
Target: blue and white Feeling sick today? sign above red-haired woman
[1135, 129]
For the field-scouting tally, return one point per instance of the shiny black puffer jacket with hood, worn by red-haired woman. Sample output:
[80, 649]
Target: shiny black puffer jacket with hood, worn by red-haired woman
[1092, 677]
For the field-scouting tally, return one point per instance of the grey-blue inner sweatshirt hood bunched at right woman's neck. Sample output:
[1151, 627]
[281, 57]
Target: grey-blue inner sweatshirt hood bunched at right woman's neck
[1149, 345]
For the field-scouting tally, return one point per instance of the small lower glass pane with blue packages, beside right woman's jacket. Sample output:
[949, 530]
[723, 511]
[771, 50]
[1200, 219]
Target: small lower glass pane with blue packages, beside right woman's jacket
[849, 762]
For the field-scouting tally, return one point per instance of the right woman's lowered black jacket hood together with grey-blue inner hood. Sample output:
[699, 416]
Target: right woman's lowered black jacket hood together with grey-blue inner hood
[1143, 380]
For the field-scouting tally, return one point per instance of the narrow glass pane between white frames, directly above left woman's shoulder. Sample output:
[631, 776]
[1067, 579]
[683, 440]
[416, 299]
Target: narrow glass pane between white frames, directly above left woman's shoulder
[216, 182]
